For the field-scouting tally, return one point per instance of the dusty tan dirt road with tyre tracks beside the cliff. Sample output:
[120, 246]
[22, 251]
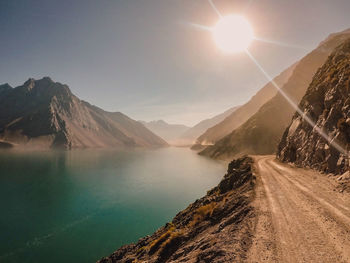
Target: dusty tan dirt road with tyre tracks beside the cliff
[301, 218]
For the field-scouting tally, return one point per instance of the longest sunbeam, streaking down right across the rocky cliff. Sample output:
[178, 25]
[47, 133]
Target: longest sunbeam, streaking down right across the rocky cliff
[300, 112]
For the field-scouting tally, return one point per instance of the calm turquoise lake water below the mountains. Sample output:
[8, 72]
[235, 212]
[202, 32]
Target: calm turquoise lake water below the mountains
[78, 206]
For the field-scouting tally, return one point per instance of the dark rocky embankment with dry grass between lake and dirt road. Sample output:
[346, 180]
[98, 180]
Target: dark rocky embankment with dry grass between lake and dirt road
[216, 228]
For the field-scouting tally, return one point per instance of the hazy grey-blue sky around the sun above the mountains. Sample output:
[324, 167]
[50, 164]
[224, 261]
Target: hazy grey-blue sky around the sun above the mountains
[143, 58]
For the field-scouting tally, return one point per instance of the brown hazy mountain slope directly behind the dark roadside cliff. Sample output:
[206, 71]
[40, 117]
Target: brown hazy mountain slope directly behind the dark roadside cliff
[261, 133]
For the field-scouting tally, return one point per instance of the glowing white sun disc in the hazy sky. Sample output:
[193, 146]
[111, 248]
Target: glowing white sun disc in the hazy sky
[233, 34]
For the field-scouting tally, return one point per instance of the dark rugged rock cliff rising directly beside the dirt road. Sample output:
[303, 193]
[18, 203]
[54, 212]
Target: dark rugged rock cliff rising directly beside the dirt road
[327, 103]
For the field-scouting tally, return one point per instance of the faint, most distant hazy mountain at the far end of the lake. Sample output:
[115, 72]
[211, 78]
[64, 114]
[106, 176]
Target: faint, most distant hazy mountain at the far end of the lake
[169, 132]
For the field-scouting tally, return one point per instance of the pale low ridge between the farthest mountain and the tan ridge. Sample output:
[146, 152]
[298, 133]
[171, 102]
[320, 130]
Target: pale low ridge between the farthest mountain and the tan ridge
[190, 136]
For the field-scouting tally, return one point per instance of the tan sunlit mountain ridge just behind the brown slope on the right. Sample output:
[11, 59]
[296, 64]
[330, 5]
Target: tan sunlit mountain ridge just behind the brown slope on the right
[239, 116]
